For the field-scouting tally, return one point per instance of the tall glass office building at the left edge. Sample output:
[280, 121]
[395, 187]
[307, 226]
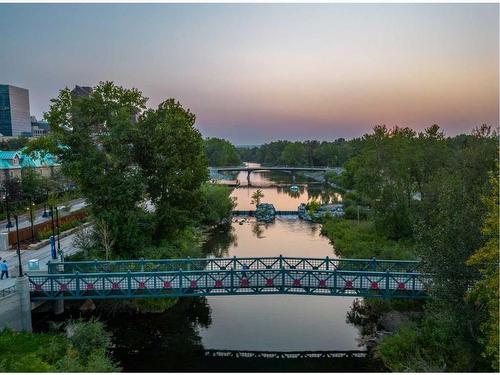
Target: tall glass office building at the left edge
[14, 111]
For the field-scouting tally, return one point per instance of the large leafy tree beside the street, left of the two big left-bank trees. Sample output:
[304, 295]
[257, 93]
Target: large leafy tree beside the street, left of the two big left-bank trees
[92, 137]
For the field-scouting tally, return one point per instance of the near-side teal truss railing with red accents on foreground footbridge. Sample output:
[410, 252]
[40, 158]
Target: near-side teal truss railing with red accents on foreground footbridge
[228, 282]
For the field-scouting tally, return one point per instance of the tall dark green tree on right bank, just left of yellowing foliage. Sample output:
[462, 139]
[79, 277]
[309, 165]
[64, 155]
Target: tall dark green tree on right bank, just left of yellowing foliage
[451, 216]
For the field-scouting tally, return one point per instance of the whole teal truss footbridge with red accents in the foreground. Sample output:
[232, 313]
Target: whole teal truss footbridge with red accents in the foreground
[174, 278]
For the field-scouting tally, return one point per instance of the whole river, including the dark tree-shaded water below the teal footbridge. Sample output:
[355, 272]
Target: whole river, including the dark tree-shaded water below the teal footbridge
[172, 341]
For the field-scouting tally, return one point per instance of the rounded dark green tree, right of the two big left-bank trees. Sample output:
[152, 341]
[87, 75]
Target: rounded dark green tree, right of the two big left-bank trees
[170, 152]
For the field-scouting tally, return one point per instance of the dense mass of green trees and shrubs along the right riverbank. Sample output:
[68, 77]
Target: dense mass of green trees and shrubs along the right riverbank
[436, 199]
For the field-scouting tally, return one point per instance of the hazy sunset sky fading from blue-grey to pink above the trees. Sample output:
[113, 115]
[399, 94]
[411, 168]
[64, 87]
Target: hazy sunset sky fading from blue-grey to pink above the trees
[253, 73]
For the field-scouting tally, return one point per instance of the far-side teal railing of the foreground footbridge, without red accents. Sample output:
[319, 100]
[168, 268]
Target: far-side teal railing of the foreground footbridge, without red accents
[235, 263]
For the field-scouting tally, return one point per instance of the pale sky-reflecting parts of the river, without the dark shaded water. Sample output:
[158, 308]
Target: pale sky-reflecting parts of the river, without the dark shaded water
[285, 323]
